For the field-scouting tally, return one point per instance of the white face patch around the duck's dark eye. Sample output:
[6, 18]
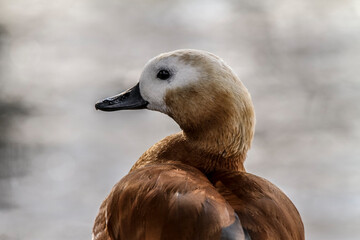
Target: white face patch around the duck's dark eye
[154, 89]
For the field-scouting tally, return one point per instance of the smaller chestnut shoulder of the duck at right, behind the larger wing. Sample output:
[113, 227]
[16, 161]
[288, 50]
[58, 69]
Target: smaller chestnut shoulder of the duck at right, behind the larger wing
[264, 210]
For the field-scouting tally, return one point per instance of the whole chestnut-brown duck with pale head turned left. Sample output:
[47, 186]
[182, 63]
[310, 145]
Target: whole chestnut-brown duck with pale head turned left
[193, 184]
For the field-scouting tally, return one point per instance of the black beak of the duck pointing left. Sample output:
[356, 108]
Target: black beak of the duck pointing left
[130, 99]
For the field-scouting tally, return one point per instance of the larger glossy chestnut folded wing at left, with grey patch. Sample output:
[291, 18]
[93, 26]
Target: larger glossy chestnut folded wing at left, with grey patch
[166, 201]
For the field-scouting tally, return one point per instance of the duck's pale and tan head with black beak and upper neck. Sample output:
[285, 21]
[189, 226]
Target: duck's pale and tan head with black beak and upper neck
[201, 93]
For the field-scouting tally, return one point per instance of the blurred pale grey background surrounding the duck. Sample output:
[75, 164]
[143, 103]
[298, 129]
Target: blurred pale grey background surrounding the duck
[59, 158]
